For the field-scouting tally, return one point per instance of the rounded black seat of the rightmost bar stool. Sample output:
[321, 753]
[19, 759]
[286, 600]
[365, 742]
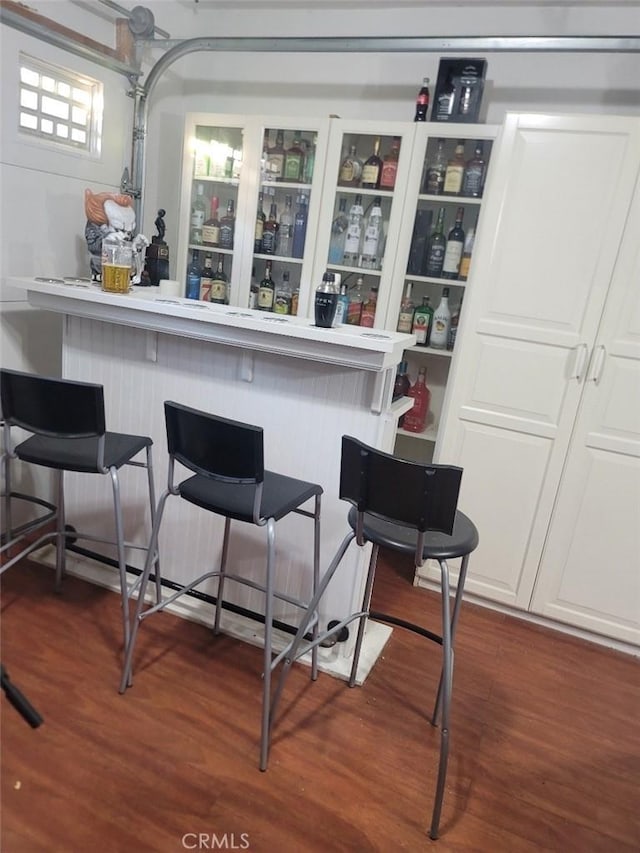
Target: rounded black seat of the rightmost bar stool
[437, 545]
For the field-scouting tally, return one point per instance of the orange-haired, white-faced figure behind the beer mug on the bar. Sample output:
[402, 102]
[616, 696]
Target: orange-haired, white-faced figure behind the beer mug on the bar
[111, 215]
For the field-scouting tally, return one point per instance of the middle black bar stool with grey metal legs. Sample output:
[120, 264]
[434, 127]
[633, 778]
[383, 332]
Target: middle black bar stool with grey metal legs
[227, 460]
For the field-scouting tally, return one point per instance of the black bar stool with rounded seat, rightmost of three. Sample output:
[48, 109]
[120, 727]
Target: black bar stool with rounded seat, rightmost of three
[410, 508]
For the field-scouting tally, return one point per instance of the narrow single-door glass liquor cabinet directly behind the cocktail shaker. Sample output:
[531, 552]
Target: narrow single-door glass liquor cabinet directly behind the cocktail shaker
[366, 175]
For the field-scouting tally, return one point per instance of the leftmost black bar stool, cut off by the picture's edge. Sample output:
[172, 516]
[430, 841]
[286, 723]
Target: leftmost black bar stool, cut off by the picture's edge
[66, 420]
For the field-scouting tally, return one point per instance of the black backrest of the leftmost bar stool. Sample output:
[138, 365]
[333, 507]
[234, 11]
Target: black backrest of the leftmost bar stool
[59, 408]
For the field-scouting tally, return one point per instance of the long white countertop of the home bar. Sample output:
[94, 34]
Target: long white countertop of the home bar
[297, 337]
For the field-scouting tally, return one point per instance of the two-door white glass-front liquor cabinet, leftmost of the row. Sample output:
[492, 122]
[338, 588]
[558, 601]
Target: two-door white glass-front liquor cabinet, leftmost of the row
[249, 210]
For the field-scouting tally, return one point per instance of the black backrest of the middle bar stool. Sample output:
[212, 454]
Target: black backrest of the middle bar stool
[214, 446]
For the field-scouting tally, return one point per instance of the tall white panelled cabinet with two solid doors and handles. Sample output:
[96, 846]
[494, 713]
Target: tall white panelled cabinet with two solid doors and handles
[541, 409]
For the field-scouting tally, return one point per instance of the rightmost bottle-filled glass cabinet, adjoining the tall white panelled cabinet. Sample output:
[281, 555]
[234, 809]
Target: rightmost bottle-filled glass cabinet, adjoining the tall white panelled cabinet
[434, 261]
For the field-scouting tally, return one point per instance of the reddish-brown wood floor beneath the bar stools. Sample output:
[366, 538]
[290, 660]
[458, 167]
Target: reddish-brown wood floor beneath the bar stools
[545, 737]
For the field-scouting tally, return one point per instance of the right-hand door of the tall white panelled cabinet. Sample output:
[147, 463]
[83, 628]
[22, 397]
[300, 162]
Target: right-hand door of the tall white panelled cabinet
[590, 570]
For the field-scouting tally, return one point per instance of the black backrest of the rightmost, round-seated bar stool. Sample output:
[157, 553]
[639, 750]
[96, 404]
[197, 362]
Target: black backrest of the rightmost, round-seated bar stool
[424, 497]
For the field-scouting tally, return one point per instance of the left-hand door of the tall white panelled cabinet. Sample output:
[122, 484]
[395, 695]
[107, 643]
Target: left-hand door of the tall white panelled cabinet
[547, 245]
